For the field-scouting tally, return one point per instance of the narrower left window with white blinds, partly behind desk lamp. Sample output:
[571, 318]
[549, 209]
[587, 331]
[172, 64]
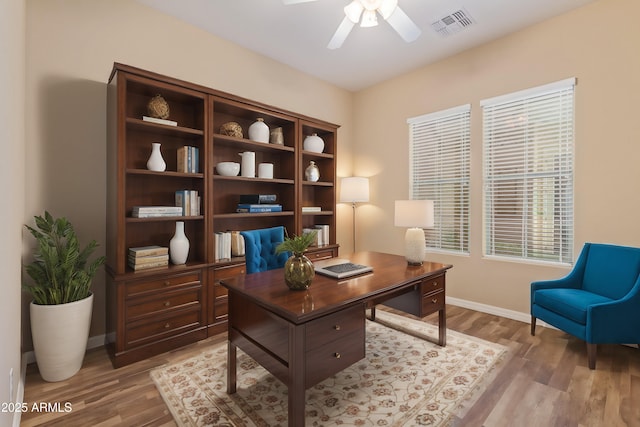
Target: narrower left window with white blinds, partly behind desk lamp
[440, 162]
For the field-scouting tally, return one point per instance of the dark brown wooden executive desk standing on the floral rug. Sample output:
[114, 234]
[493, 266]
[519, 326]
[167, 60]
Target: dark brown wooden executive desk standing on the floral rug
[303, 337]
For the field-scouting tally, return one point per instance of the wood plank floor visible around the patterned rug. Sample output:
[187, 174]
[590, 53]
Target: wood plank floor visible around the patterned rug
[545, 382]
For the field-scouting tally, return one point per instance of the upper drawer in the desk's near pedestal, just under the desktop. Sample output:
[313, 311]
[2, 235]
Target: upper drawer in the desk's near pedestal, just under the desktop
[320, 332]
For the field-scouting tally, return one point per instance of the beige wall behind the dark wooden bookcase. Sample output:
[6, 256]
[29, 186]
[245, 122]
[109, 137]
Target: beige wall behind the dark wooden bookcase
[71, 47]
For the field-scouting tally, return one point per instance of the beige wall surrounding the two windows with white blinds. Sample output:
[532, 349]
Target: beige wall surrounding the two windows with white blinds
[605, 60]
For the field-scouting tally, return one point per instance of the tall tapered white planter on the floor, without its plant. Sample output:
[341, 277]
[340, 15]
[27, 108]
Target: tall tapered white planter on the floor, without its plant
[60, 334]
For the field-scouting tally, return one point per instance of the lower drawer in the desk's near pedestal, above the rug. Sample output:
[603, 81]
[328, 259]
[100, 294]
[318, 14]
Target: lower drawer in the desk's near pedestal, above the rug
[333, 357]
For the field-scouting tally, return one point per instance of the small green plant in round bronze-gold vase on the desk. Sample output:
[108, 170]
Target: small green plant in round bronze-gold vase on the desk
[298, 269]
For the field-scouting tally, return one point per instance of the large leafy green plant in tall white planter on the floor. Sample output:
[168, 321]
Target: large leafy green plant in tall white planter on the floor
[62, 299]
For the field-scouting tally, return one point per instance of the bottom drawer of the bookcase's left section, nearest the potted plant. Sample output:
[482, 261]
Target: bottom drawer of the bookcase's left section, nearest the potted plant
[141, 333]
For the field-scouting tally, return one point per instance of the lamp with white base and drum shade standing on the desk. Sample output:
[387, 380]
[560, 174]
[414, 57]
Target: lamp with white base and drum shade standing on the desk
[417, 215]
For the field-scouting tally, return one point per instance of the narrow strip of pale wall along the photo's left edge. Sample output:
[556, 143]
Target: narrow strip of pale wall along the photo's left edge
[12, 167]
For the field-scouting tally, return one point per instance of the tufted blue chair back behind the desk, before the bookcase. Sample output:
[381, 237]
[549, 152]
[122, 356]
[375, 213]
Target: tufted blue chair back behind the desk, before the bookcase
[260, 249]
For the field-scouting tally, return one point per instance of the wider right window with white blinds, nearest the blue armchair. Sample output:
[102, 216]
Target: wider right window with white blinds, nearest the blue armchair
[528, 173]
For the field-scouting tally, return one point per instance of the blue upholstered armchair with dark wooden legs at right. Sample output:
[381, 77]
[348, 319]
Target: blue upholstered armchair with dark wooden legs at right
[598, 301]
